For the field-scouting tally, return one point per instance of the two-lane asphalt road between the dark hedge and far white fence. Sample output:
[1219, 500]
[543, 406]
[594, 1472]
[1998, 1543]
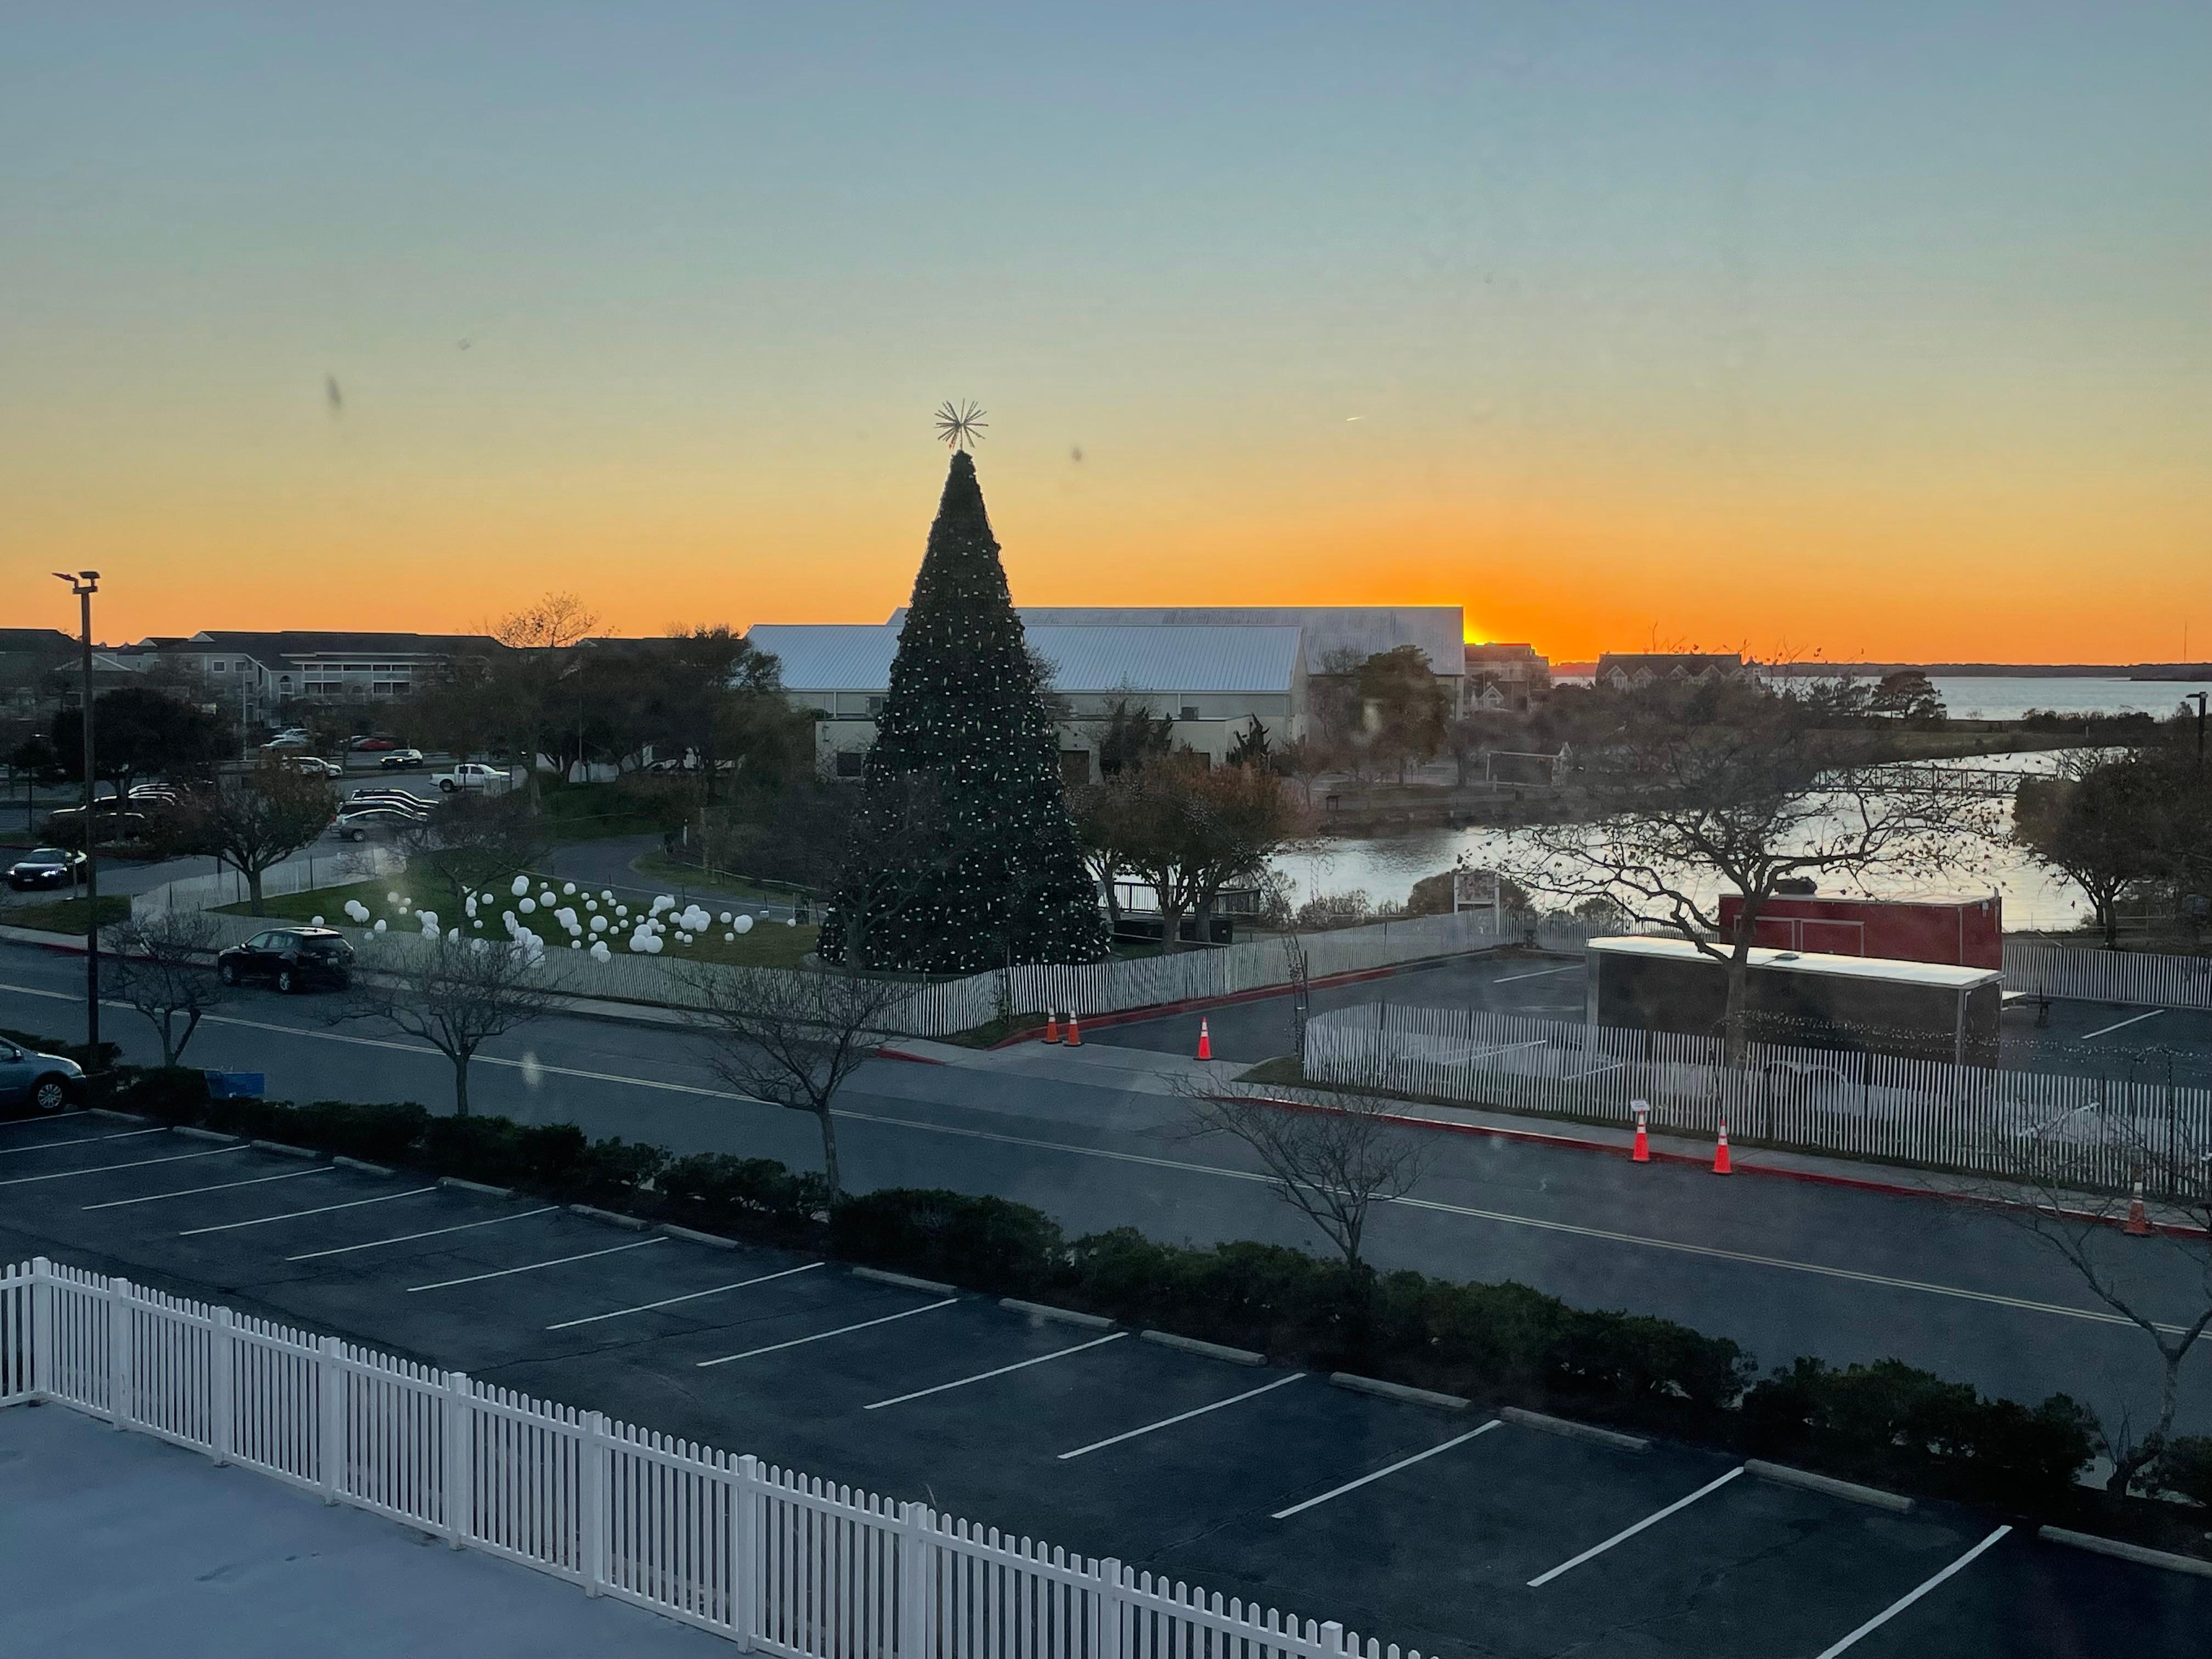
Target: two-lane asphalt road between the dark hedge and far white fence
[1096, 1142]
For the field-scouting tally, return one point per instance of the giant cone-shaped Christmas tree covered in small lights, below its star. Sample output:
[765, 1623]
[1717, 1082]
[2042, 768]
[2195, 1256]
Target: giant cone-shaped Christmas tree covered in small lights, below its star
[963, 855]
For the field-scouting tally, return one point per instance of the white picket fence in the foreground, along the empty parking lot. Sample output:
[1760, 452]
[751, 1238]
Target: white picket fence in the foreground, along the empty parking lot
[764, 1556]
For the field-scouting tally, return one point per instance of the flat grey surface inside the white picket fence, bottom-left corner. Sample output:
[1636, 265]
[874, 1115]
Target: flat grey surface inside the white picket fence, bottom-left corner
[114, 1547]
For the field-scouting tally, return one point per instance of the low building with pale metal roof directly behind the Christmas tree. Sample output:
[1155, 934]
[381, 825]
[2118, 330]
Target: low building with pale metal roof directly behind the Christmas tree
[1213, 682]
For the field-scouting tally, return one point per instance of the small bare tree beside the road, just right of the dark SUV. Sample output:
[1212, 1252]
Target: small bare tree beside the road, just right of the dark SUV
[455, 994]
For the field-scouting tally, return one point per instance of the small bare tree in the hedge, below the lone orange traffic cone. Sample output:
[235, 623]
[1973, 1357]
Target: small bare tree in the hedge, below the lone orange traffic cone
[1328, 1162]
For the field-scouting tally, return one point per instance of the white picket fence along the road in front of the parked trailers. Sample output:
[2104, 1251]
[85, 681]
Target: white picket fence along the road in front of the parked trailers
[1965, 1120]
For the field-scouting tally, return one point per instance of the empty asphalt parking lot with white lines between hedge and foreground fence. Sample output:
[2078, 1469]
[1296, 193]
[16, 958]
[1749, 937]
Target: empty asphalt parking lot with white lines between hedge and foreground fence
[1450, 1532]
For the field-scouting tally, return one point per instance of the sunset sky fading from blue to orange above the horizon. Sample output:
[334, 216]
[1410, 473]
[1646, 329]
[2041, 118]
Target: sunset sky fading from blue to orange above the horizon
[1864, 331]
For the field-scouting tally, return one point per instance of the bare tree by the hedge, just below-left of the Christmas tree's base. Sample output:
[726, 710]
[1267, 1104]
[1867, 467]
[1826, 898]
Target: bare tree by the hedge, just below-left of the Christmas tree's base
[793, 1039]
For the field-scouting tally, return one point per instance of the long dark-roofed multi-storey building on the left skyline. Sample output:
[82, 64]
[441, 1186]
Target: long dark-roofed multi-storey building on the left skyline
[258, 674]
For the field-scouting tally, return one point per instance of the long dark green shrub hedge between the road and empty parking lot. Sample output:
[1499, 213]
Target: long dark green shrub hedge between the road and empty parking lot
[1496, 1344]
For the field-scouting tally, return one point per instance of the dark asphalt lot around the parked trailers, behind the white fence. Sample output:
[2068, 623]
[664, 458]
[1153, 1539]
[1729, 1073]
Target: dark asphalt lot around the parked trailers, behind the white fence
[2094, 1039]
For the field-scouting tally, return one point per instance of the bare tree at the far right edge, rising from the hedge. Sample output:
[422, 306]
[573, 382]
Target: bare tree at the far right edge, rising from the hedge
[2047, 1189]
